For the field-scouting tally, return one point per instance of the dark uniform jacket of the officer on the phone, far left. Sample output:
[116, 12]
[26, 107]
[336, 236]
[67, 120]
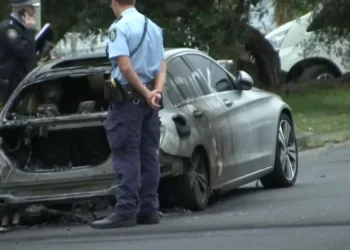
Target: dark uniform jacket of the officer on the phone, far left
[17, 55]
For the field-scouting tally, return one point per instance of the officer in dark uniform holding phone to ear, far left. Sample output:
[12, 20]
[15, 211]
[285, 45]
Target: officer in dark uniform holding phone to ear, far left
[17, 46]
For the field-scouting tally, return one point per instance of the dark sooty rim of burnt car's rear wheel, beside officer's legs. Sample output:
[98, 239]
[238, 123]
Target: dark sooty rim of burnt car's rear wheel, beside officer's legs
[199, 179]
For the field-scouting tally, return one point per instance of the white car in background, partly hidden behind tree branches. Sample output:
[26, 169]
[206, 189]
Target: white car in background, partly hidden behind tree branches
[295, 64]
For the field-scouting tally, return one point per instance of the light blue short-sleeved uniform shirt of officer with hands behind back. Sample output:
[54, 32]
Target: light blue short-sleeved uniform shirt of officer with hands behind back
[128, 33]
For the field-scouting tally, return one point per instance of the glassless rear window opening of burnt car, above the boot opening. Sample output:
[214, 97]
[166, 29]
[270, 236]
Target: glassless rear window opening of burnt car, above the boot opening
[61, 97]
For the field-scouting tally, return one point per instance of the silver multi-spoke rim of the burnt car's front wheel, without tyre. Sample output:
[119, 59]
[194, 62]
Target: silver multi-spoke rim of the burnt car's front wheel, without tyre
[288, 150]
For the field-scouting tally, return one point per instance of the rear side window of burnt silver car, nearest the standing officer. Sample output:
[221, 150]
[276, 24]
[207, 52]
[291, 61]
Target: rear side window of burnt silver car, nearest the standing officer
[184, 79]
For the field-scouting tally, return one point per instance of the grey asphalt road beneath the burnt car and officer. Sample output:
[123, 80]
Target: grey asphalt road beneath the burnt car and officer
[314, 214]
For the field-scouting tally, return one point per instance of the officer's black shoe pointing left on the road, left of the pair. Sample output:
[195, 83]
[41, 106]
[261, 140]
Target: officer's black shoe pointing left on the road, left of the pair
[114, 221]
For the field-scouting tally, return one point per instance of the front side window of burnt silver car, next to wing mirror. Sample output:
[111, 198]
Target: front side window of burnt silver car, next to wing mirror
[211, 77]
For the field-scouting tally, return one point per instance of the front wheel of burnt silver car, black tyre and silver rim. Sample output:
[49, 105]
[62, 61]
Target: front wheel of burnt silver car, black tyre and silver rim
[286, 159]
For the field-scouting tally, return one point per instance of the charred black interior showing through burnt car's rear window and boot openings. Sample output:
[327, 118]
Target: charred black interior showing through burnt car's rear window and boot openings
[51, 148]
